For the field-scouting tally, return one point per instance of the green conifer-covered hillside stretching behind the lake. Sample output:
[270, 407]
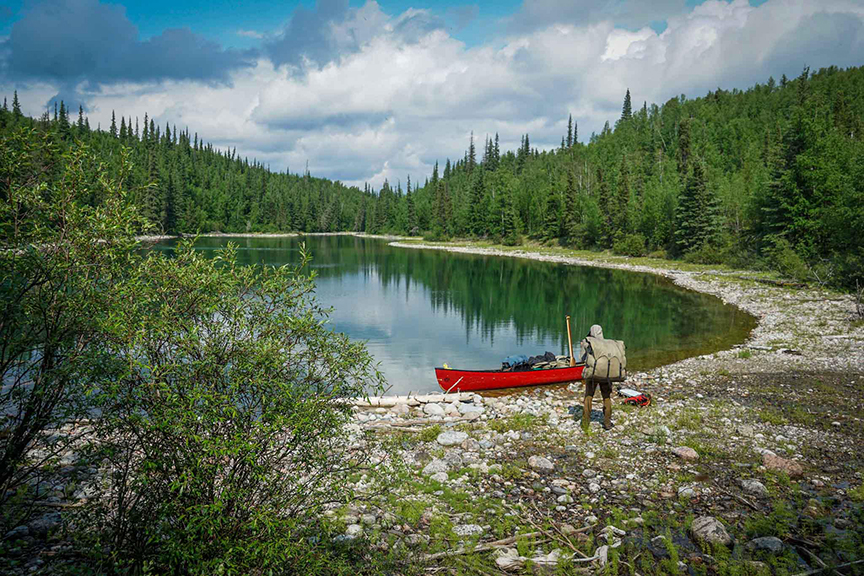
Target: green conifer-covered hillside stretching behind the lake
[770, 176]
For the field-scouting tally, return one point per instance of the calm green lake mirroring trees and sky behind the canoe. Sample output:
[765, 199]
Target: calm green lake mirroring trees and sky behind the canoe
[418, 309]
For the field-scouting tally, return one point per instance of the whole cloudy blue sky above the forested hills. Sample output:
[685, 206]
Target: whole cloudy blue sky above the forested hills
[363, 91]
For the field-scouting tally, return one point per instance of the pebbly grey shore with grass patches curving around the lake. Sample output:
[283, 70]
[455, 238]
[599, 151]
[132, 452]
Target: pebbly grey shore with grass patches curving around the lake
[749, 457]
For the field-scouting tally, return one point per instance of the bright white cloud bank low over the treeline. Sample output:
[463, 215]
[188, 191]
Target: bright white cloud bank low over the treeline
[401, 92]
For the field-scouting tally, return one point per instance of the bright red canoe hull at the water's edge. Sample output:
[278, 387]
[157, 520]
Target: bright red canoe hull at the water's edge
[477, 380]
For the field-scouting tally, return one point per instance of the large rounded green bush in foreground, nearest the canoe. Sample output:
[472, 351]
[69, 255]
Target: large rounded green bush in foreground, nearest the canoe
[225, 436]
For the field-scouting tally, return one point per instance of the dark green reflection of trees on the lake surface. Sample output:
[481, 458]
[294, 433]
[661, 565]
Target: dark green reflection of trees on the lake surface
[531, 298]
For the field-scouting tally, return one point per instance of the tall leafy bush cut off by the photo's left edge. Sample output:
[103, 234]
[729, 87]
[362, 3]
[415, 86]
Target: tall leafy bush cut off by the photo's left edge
[58, 256]
